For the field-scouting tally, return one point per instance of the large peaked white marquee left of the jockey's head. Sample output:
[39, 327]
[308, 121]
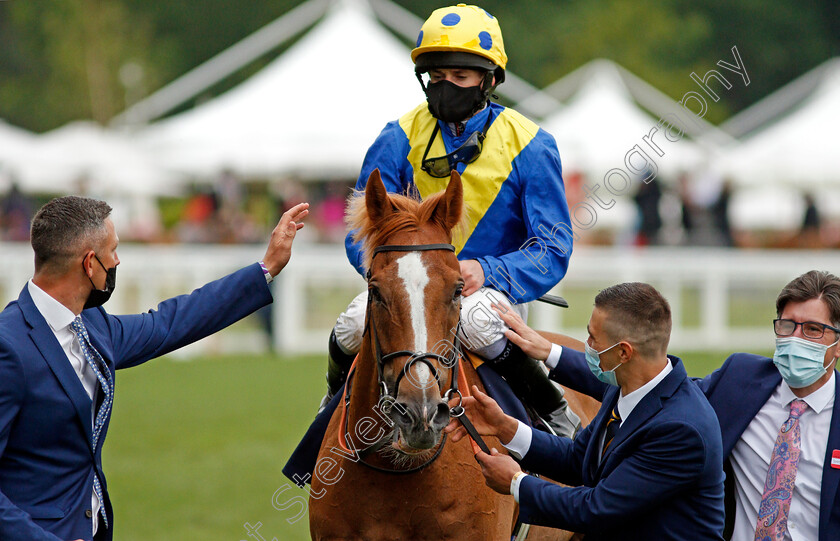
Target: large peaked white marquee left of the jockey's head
[312, 113]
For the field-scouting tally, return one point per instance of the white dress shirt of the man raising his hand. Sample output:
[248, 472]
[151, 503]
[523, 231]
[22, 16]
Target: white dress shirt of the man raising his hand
[59, 318]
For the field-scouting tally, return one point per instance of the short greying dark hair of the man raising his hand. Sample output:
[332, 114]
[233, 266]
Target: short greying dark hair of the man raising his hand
[62, 227]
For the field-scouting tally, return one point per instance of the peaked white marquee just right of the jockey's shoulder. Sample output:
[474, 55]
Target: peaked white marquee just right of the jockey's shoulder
[601, 121]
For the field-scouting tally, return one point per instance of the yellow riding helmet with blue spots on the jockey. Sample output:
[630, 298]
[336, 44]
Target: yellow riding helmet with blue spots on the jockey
[460, 36]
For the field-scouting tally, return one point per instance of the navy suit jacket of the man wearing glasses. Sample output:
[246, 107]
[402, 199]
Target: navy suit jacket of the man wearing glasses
[738, 390]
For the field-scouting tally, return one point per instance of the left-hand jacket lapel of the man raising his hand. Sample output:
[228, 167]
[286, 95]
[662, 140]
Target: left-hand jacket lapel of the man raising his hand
[44, 339]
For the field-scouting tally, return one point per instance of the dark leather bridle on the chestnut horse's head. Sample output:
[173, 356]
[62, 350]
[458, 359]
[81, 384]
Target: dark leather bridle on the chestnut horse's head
[387, 399]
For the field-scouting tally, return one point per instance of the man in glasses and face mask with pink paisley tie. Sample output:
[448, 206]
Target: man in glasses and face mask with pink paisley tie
[752, 397]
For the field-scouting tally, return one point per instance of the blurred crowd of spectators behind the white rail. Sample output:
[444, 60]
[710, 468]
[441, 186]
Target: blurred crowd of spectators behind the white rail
[693, 211]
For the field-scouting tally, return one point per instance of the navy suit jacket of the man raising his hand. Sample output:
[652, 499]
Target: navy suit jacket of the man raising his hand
[46, 456]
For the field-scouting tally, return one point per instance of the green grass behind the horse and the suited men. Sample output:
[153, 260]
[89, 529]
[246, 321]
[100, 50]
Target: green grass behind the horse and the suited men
[195, 448]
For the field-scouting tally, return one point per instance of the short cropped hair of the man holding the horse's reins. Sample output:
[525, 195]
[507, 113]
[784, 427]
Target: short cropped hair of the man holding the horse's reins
[638, 313]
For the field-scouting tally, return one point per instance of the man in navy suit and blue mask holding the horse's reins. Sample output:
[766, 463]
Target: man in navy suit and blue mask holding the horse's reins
[650, 464]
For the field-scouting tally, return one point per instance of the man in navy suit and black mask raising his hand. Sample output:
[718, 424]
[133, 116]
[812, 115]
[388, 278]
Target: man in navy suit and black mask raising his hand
[58, 354]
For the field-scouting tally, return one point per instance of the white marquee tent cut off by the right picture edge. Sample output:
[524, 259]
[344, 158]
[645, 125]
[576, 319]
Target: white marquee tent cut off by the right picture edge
[793, 152]
